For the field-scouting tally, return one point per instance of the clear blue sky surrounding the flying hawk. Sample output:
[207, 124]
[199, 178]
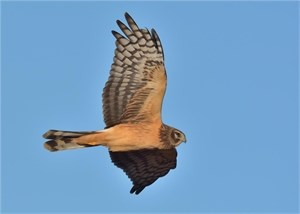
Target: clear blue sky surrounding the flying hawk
[232, 88]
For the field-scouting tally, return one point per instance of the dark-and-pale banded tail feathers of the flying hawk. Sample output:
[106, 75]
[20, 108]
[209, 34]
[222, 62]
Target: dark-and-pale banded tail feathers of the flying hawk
[64, 140]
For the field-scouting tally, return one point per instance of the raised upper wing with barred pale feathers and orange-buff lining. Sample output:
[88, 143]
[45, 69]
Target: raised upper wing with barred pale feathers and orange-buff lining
[137, 81]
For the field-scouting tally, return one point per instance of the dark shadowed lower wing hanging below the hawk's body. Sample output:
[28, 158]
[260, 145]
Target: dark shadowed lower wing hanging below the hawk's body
[144, 167]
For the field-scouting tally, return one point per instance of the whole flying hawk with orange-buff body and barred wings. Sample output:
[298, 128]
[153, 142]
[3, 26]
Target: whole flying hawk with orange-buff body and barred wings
[138, 141]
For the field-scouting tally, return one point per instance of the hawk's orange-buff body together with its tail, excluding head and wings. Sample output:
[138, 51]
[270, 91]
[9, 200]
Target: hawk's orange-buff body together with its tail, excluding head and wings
[122, 137]
